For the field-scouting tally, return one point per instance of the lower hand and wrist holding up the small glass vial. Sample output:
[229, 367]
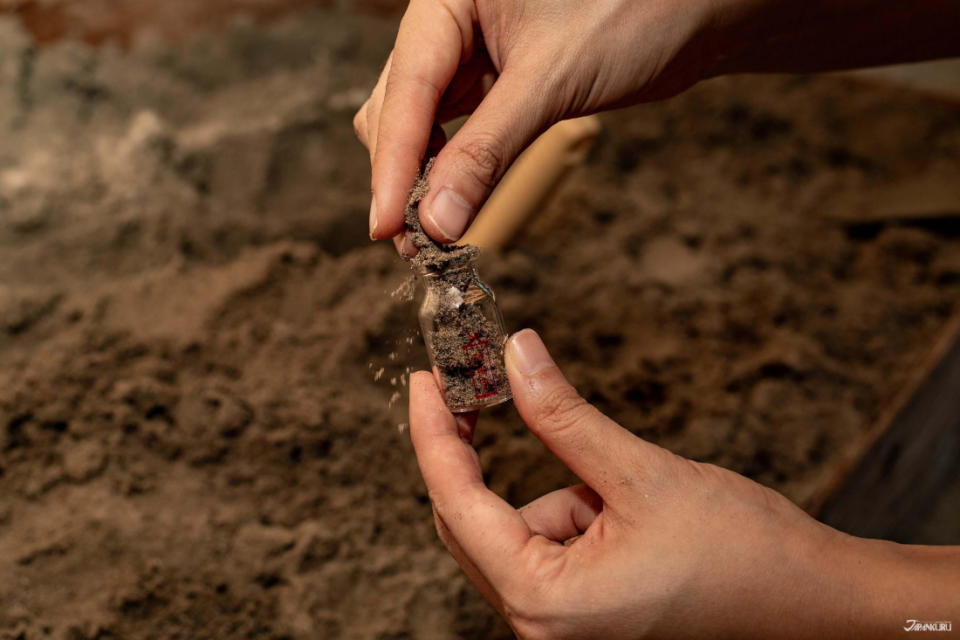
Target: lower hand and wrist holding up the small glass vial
[653, 545]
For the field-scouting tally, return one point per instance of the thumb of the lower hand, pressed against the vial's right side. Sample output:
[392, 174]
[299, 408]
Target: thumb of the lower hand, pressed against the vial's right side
[603, 454]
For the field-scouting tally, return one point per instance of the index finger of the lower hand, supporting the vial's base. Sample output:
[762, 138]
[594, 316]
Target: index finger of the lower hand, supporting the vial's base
[489, 531]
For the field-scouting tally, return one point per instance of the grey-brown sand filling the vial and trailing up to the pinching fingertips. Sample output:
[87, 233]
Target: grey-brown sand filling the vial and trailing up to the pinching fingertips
[459, 319]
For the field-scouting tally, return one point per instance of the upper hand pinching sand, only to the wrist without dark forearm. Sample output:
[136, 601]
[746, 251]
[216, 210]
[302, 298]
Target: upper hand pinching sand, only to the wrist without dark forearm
[518, 66]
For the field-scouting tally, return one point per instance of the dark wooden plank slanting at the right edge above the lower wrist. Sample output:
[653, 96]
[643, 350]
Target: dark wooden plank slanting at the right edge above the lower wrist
[907, 457]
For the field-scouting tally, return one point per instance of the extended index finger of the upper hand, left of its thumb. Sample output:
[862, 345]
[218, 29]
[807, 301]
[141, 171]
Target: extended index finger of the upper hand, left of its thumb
[430, 45]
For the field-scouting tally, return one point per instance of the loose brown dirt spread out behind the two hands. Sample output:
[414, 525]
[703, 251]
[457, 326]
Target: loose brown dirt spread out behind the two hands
[192, 442]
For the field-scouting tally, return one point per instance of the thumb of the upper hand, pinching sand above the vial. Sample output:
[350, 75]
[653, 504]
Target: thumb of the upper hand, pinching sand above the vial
[509, 118]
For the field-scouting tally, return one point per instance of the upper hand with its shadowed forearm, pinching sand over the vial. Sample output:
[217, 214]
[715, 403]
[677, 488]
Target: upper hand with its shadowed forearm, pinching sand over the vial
[518, 66]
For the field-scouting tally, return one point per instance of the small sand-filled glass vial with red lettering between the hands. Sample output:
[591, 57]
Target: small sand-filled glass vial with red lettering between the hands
[463, 331]
